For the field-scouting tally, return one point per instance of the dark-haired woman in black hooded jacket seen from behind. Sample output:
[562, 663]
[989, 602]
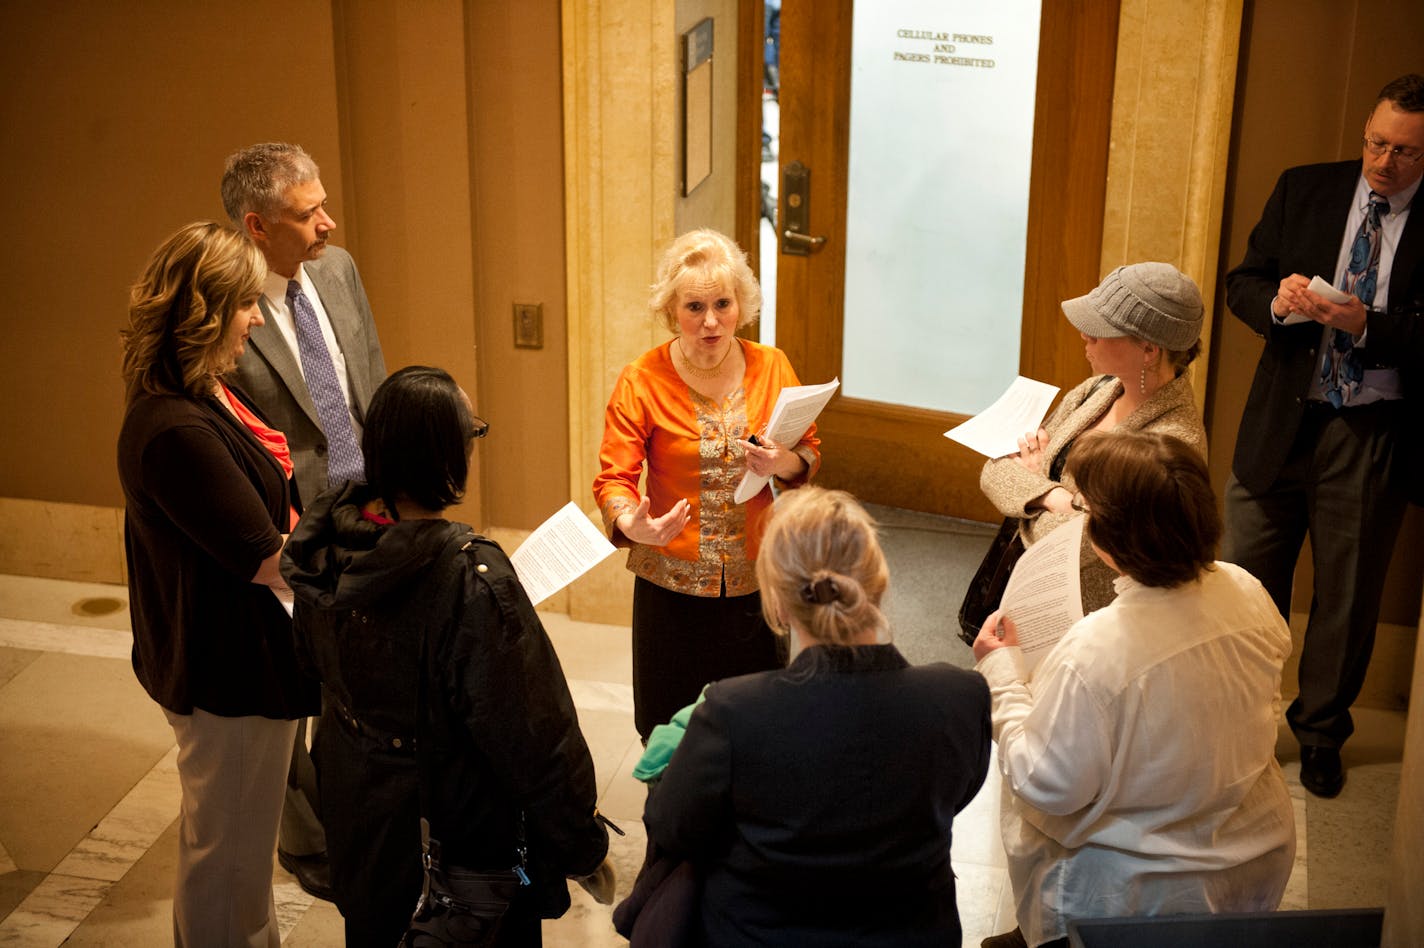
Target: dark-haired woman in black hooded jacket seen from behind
[382, 580]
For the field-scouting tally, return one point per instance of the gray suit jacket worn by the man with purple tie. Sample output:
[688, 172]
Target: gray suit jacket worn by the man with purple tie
[270, 371]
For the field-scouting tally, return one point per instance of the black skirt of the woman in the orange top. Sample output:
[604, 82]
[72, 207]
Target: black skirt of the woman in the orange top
[681, 644]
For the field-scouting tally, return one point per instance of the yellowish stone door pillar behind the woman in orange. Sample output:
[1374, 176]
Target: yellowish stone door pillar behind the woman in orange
[620, 186]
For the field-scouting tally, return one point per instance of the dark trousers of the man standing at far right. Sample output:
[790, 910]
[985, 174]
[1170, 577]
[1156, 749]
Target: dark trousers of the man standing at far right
[1344, 485]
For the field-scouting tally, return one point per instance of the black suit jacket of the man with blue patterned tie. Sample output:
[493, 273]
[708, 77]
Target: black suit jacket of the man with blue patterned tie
[1301, 233]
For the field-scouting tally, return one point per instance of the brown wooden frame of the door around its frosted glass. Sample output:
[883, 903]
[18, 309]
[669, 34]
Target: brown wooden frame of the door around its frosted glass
[891, 453]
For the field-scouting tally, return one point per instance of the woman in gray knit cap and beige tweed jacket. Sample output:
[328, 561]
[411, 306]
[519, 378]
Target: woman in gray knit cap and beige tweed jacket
[1141, 328]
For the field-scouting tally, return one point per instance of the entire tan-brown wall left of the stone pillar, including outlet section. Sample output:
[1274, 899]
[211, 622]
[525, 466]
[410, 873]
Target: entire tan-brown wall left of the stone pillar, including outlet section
[438, 126]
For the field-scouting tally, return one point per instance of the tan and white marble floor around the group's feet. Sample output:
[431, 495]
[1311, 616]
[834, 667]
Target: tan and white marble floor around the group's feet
[89, 791]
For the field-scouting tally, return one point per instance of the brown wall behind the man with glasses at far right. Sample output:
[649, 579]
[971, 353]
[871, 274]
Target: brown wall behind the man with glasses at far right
[1308, 76]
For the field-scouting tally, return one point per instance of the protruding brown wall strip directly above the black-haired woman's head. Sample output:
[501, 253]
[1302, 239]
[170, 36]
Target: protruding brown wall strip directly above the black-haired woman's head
[401, 82]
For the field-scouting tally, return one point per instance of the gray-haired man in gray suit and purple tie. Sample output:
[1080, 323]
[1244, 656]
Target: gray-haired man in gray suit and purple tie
[313, 369]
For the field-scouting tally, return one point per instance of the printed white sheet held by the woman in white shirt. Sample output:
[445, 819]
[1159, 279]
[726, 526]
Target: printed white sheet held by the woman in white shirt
[1045, 594]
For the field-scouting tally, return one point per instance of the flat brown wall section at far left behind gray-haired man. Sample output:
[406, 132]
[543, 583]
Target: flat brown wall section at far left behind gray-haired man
[117, 119]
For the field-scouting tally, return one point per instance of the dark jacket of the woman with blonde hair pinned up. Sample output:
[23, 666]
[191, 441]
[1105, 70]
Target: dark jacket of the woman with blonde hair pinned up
[820, 799]
